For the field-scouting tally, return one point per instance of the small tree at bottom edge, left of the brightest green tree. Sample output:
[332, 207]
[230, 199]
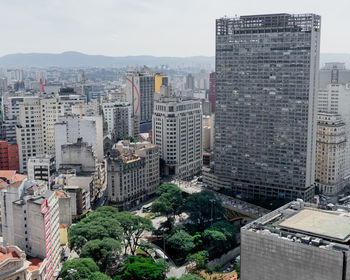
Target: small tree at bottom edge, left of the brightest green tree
[78, 269]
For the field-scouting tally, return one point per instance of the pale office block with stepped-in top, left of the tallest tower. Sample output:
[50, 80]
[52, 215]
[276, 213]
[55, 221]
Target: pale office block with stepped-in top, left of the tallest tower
[177, 130]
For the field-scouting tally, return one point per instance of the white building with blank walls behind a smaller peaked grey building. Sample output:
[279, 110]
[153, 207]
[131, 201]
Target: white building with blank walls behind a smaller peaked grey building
[69, 128]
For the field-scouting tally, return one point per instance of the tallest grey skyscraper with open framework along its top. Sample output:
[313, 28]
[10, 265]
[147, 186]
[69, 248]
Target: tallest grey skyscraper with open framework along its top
[266, 103]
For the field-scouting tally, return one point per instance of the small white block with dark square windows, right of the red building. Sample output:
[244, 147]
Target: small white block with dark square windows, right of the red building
[42, 167]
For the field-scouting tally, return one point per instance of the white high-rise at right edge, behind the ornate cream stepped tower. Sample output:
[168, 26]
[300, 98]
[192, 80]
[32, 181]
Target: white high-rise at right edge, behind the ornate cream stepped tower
[336, 99]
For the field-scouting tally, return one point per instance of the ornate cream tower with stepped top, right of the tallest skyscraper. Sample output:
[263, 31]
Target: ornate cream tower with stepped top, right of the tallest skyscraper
[330, 154]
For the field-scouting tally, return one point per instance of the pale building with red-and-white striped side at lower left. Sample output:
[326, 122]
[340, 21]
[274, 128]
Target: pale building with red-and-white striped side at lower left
[36, 228]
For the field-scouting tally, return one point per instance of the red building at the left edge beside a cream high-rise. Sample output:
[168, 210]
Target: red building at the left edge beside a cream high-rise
[9, 158]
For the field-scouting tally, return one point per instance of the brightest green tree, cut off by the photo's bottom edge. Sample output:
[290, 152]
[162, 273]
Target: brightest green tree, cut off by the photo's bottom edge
[141, 268]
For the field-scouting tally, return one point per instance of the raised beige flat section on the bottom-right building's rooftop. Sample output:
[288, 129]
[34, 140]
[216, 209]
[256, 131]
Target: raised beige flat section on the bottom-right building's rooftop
[324, 224]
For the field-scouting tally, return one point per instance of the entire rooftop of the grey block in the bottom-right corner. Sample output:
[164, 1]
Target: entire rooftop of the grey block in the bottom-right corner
[311, 224]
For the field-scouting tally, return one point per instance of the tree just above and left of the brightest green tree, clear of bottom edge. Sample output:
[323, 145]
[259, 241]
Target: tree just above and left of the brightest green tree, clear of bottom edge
[104, 252]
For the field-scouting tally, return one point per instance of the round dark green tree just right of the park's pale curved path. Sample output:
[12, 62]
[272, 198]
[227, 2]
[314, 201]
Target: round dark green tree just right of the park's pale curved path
[180, 243]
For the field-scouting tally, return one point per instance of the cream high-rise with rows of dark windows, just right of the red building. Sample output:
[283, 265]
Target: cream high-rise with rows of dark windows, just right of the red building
[36, 131]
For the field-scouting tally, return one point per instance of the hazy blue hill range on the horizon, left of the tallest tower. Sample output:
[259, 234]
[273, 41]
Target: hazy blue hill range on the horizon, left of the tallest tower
[76, 59]
